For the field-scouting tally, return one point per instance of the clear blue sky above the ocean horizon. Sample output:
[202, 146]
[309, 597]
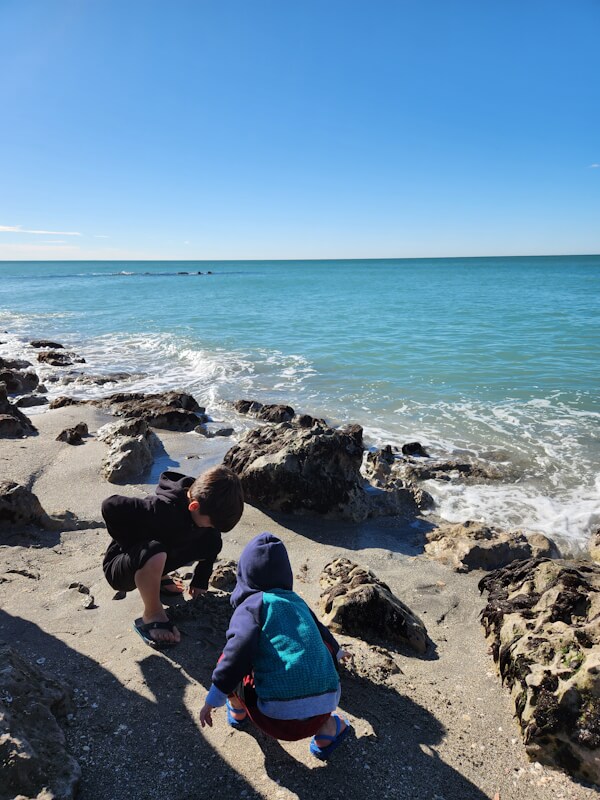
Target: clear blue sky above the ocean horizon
[314, 129]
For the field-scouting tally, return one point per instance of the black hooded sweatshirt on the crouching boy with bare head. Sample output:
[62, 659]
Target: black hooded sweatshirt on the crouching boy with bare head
[163, 518]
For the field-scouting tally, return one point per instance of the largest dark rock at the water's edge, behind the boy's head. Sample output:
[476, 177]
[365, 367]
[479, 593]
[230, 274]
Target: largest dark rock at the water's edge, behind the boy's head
[288, 468]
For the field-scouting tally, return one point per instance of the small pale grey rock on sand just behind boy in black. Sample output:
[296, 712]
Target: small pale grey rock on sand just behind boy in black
[131, 449]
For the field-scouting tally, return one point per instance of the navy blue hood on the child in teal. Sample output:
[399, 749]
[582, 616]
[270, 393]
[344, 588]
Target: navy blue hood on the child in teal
[263, 565]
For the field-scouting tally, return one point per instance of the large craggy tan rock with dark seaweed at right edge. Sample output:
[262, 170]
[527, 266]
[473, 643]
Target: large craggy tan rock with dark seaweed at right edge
[543, 618]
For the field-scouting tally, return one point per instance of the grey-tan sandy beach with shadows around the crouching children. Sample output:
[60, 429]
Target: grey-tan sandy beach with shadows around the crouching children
[435, 727]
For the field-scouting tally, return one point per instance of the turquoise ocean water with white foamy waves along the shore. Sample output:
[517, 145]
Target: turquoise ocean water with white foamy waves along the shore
[492, 357]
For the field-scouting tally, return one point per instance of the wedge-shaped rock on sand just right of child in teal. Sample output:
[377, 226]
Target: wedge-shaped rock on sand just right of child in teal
[355, 602]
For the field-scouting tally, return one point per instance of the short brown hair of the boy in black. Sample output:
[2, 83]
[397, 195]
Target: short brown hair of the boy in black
[221, 497]
